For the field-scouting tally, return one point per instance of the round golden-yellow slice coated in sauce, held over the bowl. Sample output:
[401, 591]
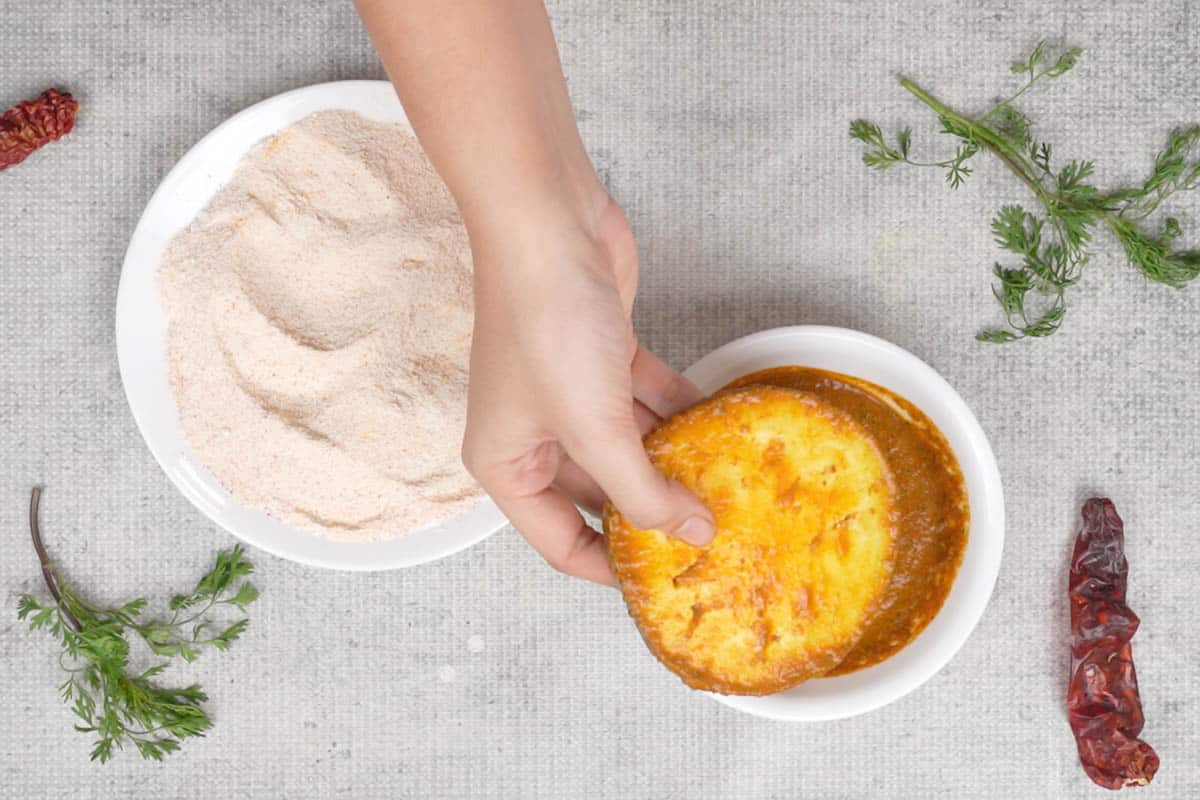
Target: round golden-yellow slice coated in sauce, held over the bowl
[802, 555]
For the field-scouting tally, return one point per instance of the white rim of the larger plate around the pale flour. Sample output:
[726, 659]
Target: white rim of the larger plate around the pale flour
[142, 341]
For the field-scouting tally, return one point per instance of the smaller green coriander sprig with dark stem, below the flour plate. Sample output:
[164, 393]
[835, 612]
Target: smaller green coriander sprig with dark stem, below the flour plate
[119, 706]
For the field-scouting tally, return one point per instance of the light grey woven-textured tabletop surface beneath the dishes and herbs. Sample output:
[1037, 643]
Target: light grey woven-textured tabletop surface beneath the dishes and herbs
[722, 127]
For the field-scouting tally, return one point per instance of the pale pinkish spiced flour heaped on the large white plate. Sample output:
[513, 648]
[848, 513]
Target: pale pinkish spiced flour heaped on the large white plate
[320, 317]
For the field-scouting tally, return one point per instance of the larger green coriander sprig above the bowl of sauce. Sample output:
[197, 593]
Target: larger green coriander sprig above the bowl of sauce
[1052, 244]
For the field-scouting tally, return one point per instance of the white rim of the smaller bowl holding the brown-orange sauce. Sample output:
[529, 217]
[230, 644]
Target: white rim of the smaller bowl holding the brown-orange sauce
[873, 359]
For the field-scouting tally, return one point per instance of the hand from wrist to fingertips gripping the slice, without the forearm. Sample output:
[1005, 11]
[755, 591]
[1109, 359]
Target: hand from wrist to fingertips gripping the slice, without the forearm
[562, 393]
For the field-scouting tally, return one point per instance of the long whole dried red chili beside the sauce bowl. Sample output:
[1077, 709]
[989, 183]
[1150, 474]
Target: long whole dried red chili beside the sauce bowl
[1102, 699]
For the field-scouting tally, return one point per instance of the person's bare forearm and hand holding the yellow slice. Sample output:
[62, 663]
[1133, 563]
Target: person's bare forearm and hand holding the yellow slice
[560, 389]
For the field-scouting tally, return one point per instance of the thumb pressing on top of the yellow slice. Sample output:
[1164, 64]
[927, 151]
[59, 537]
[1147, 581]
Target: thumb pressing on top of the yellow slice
[617, 461]
